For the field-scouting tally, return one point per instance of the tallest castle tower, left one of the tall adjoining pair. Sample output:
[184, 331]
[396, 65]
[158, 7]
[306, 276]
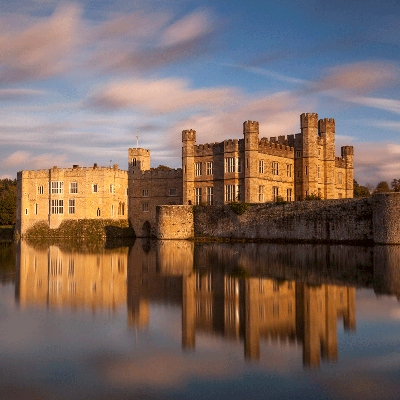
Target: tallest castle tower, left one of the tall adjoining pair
[306, 157]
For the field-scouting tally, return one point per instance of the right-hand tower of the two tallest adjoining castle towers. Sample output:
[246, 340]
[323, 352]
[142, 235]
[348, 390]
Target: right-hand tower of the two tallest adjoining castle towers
[326, 128]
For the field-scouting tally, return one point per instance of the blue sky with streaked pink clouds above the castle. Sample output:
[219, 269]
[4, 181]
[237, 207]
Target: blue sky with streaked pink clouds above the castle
[79, 79]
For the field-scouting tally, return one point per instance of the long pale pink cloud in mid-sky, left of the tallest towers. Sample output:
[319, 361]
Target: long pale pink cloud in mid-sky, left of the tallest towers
[159, 96]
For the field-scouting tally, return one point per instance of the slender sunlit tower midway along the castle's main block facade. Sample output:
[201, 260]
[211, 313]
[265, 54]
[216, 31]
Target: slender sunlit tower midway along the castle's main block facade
[250, 132]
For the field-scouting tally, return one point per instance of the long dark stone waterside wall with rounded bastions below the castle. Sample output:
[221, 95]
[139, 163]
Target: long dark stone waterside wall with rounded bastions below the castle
[348, 220]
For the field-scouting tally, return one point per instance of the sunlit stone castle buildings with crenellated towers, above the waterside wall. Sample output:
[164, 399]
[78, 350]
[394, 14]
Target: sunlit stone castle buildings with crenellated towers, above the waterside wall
[251, 170]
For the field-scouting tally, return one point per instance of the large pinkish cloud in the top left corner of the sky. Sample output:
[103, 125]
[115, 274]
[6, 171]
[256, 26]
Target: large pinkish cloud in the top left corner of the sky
[42, 50]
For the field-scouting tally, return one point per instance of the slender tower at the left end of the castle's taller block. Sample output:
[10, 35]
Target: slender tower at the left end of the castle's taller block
[188, 142]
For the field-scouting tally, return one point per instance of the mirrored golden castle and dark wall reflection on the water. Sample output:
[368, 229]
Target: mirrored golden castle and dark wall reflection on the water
[250, 293]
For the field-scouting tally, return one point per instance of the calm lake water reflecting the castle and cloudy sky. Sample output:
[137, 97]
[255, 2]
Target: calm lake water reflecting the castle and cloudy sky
[175, 320]
